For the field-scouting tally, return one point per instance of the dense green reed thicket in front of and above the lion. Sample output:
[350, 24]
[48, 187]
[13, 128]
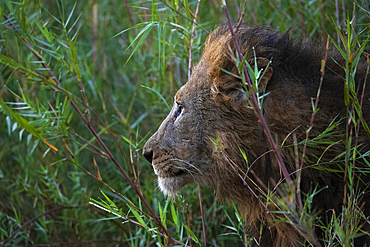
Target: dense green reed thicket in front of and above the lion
[120, 63]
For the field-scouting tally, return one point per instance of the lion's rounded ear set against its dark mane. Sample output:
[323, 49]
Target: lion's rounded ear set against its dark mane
[265, 70]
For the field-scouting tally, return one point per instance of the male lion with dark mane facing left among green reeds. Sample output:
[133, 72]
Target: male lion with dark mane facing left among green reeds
[213, 137]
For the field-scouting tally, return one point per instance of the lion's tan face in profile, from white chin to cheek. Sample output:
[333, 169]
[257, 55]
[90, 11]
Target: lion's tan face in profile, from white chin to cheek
[210, 106]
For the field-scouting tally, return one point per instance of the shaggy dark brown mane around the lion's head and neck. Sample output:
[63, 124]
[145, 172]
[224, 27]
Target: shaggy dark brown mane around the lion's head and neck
[294, 83]
